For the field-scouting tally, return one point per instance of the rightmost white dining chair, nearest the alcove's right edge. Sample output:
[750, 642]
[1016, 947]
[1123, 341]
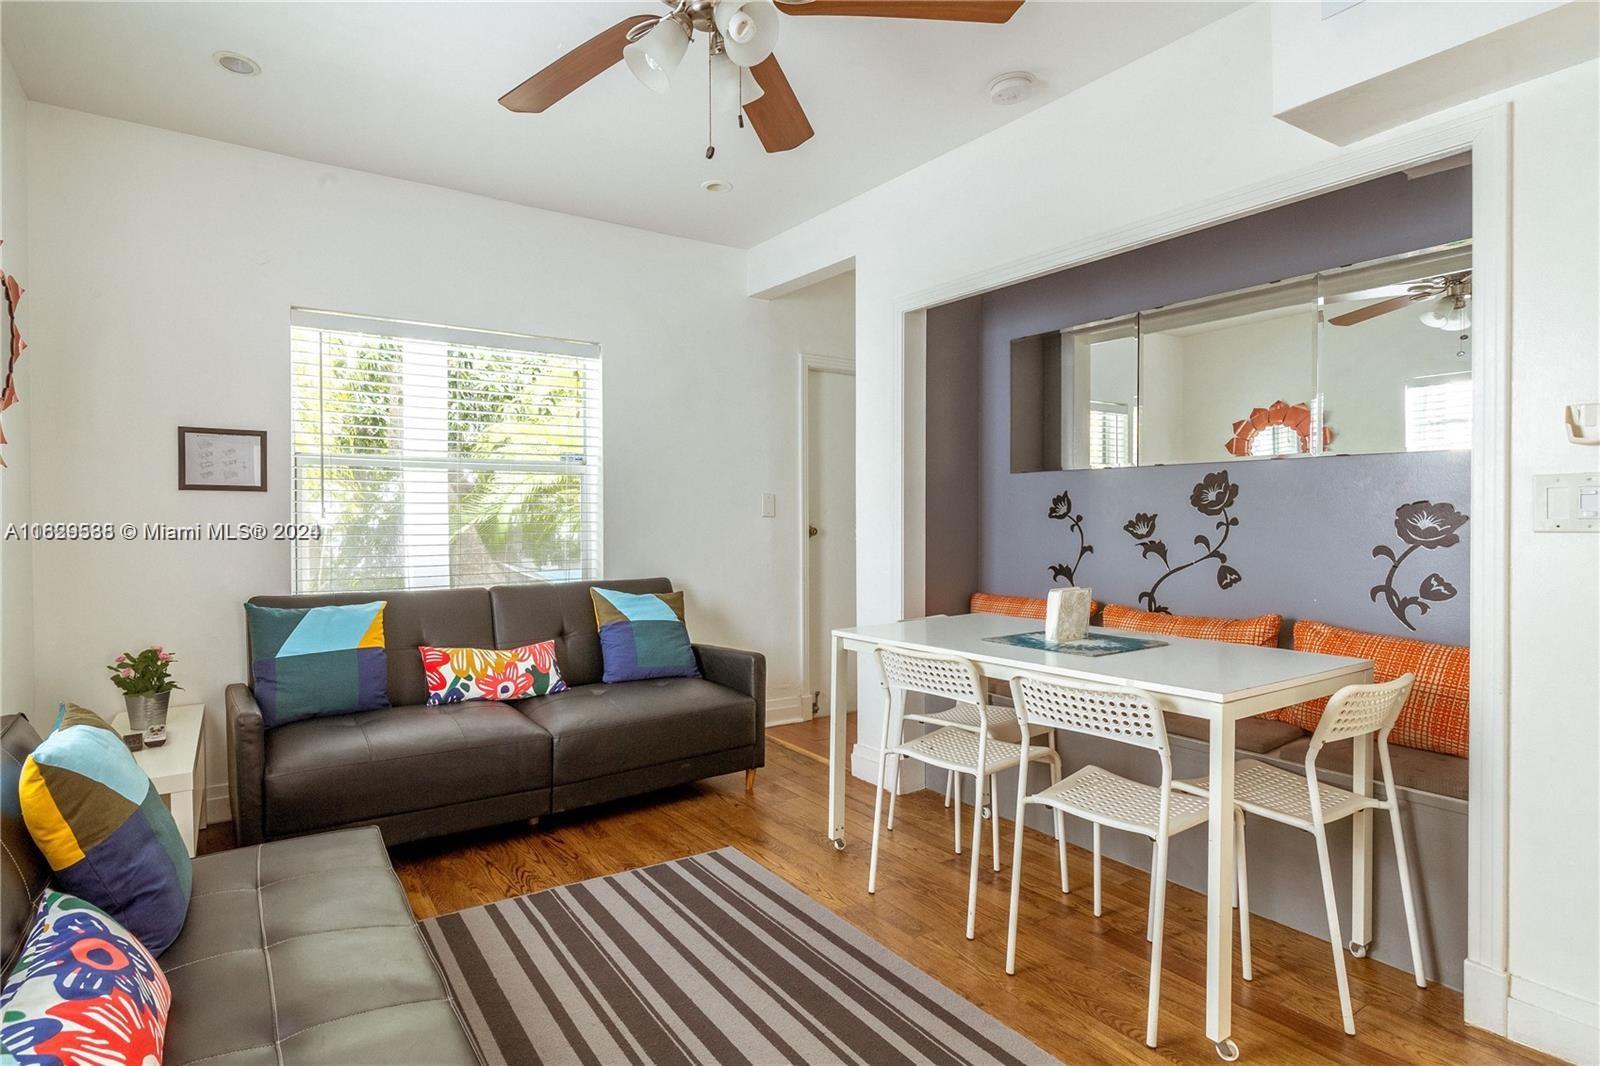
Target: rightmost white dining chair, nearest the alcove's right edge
[1356, 713]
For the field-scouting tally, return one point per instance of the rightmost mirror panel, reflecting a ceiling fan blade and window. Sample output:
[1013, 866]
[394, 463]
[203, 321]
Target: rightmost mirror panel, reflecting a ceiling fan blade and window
[1394, 353]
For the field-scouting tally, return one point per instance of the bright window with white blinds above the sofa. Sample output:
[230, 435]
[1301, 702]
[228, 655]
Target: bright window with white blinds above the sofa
[438, 457]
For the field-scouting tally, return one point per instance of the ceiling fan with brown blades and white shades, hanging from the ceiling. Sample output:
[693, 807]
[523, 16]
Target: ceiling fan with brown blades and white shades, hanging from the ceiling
[743, 34]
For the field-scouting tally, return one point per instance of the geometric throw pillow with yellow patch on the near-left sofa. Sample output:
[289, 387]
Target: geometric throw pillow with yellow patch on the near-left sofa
[105, 830]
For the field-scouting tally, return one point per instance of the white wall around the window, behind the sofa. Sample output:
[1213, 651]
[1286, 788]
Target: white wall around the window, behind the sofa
[162, 278]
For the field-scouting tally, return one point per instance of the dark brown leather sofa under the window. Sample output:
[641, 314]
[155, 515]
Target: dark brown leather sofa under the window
[420, 772]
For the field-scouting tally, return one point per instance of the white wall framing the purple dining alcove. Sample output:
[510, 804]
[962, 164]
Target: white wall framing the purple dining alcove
[1193, 124]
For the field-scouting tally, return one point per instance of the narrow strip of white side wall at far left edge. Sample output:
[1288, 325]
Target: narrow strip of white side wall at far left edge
[17, 558]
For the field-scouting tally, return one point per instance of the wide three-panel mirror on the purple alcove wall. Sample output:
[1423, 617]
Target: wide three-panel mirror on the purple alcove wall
[1366, 359]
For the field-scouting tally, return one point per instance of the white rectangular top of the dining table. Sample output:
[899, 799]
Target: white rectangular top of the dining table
[1210, 671]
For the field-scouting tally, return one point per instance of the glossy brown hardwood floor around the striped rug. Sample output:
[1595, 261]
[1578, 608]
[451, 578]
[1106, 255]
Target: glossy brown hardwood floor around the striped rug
[1081, 985]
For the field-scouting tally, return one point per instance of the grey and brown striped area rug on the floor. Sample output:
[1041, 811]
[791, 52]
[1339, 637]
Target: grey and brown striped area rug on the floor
[706, 960]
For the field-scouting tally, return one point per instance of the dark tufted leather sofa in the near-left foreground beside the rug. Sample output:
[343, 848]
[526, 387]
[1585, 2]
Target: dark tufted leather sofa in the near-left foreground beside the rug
[295, 953]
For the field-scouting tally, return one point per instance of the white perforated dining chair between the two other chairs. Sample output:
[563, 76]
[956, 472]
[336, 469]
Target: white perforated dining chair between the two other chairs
[1106, 799]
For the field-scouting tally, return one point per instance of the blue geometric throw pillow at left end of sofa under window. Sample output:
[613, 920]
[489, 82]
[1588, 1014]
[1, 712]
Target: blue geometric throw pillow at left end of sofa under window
[308, 662]
